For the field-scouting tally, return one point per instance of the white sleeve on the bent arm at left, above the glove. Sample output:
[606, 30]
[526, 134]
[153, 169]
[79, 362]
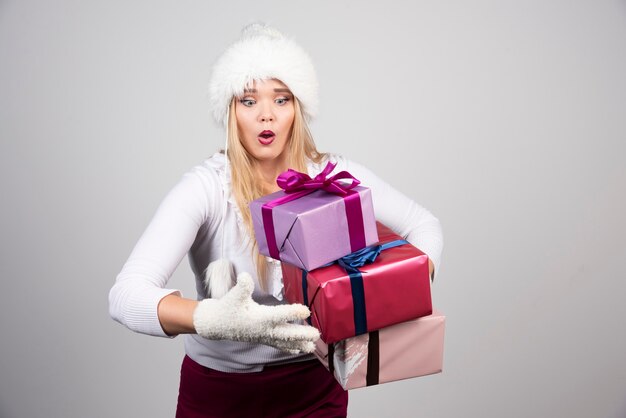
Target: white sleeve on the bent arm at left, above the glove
[141, 284]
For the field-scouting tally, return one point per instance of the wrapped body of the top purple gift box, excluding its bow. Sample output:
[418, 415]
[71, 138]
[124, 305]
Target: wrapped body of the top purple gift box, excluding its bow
[315, 229]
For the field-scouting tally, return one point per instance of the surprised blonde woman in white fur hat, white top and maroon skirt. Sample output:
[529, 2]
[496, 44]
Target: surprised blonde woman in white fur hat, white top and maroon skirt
[244, 355]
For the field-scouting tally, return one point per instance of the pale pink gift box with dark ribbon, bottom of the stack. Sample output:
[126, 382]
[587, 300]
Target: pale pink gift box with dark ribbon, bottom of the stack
[402, 351]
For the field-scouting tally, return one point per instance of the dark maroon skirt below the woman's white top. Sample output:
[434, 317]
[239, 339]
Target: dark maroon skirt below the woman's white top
[303, 389]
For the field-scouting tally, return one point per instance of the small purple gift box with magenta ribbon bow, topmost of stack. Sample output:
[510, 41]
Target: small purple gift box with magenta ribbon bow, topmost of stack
[309, 225]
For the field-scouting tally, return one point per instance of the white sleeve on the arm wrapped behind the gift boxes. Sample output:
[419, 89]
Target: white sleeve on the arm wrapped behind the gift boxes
[410, 220]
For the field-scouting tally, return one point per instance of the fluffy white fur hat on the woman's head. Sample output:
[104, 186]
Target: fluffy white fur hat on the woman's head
[262, 53]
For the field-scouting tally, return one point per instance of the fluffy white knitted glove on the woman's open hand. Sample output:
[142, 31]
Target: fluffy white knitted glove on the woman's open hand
[235, 316]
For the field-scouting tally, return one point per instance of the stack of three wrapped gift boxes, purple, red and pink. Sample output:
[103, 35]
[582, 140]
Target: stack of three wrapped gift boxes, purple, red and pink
[367, 288]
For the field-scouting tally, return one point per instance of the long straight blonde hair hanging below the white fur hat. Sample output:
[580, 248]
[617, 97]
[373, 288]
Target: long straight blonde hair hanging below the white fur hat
[245, 184]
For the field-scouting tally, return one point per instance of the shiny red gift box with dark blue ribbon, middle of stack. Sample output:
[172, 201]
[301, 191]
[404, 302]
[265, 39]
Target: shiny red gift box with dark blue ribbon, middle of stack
[392, 289]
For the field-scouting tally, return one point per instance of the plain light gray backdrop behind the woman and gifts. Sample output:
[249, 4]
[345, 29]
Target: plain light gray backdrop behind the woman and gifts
[505, 118]
